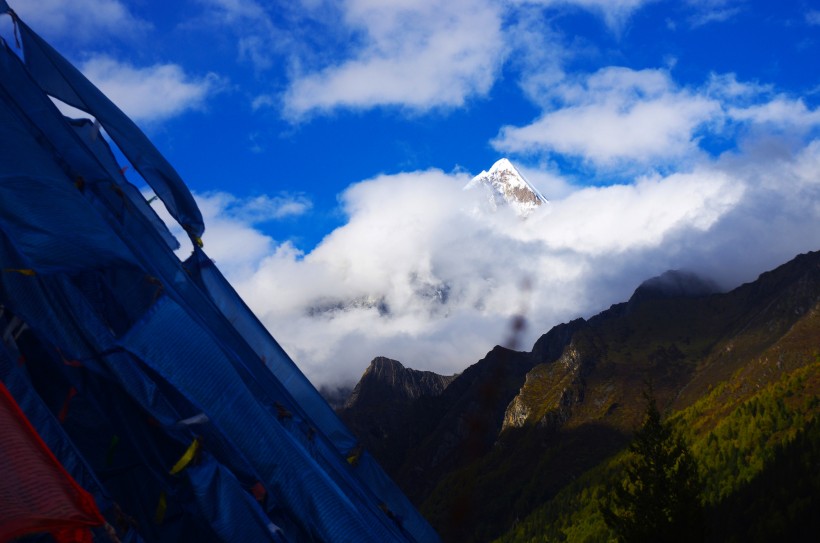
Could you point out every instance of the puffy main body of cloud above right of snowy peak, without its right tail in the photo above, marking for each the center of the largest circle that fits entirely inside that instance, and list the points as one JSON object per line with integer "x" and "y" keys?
{"x": 615, "y": 115}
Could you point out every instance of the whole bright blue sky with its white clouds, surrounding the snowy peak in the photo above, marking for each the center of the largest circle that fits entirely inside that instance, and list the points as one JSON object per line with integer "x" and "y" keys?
{"x": 328, "y": 141}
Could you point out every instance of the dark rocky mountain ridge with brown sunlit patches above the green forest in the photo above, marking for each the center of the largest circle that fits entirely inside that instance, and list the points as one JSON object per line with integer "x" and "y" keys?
{"x": 552, "y": 413}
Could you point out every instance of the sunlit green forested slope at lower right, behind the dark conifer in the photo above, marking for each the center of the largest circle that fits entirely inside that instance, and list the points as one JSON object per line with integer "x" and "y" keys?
{"x": 758, "y": 460}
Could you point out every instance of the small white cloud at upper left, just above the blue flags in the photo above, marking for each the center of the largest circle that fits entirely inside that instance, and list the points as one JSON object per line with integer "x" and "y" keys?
{"x": 136, "y": 89}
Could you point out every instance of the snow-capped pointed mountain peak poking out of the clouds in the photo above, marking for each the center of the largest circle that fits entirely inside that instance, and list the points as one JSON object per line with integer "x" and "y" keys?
{"x": 508, "y": 186}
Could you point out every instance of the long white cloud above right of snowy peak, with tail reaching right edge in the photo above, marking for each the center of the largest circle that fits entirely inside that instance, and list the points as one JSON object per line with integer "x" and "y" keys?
{"x": 619, "y": 119}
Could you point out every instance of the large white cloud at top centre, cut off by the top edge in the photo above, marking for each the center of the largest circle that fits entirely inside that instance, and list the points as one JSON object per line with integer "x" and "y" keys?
{"x": 416, "y": 55}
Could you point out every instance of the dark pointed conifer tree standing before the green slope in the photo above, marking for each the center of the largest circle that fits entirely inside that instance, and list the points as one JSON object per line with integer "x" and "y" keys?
{"x": 659, "y": 498}
